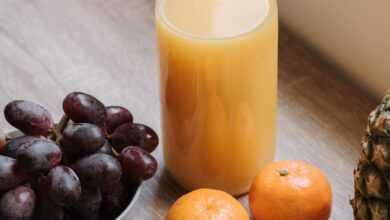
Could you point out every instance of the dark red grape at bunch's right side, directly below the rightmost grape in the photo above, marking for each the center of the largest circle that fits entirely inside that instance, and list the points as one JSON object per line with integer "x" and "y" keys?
{"x": 137, "y": 164}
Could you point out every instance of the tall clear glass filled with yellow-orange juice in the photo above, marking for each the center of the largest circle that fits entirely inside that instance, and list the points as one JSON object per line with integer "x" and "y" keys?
{"x": 218, "y": 80}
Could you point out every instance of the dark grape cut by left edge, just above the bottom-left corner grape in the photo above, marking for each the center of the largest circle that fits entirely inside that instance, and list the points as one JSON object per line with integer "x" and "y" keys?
{"x": 10, "y": 175}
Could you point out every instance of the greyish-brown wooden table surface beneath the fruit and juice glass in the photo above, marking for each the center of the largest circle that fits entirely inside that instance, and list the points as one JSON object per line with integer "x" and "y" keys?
{"x": 107, "y": 48}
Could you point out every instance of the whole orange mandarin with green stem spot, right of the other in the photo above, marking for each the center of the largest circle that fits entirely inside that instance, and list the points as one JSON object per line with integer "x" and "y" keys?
{"x": 290, "y": 190}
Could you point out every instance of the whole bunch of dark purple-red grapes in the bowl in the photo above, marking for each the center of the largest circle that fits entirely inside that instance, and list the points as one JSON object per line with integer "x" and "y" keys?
{"x": 85, "y": 167}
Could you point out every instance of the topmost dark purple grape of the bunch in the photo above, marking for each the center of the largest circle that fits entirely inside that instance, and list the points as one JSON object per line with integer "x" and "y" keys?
{"x": 81, "y": 107}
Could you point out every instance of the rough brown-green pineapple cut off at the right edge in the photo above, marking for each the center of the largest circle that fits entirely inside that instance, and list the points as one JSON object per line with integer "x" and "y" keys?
{"x": 372, "y": 175}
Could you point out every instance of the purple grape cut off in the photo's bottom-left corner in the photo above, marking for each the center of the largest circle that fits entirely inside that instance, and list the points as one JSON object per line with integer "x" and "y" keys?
{"x": 18, "y": 204}
